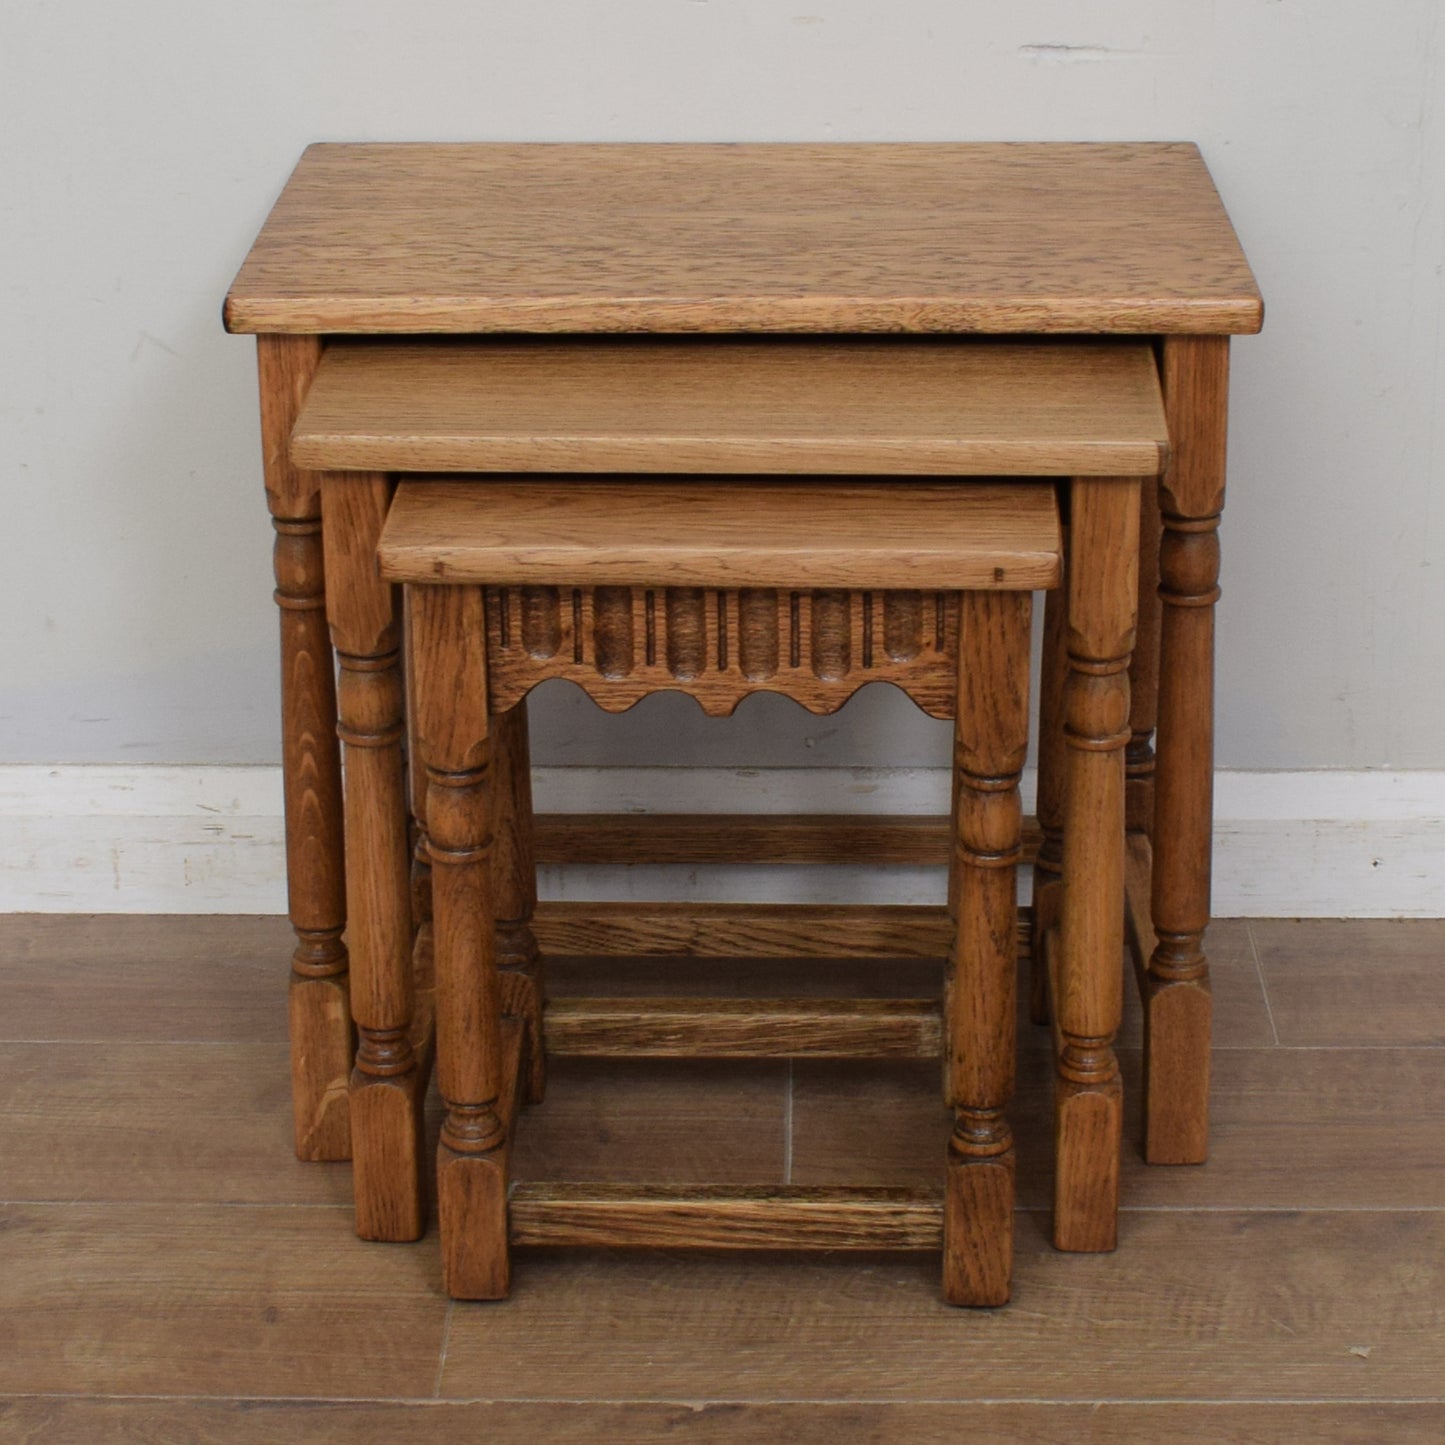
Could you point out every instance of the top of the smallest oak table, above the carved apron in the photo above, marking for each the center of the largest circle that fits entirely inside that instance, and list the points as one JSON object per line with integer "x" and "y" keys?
{"x": 681, "y": 534}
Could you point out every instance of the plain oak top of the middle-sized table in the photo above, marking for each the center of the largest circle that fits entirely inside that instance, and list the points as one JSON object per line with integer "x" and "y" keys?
{"x": 716, "y": 407}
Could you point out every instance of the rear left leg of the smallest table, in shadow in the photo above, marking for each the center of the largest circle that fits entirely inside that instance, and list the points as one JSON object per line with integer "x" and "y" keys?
{"x": 517, "y": 882}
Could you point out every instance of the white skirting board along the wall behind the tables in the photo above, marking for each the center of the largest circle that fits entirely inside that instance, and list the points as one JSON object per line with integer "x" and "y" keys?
{"x": 209, "y": 840}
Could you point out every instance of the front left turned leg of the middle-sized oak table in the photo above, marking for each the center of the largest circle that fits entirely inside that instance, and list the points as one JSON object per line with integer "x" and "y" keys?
{"x": 387, "y": 1093}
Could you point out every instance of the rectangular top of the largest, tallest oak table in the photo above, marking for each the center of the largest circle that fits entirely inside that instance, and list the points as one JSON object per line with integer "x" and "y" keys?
{"x": 1051, "y": 238}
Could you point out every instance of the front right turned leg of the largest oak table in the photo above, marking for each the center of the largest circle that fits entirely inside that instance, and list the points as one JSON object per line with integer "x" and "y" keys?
{"x": 1178, "y": 1004}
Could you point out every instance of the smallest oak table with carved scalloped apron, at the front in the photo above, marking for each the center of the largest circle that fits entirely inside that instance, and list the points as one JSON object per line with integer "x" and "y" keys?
{"x": 466, "y": 642}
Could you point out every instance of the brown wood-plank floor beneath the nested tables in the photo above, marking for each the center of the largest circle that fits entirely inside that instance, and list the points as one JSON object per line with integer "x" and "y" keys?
{"x": 168, "y": 1272}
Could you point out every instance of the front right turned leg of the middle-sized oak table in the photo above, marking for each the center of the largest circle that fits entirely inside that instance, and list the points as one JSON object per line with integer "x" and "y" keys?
{"x": 1089, "y": 983}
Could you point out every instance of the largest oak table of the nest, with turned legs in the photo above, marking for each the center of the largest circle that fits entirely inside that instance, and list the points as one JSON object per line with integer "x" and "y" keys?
{"x": 764, "y": 239}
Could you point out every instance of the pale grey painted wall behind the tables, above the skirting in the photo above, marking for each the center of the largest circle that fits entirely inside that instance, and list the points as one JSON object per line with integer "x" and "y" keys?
{"x": 144, "y": 144}
